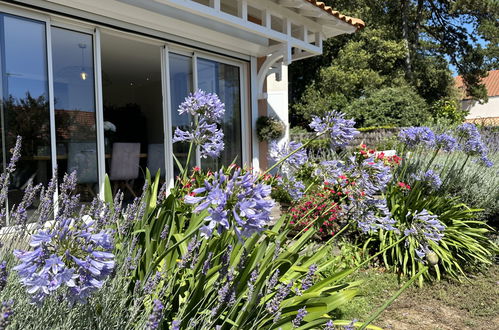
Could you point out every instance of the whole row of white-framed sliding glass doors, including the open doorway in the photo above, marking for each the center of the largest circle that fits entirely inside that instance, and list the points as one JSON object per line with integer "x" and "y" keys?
{"x": 74, "y": 94}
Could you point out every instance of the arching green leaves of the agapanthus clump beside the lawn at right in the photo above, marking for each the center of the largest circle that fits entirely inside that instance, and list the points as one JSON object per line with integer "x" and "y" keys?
{"x": 465, "y": 246}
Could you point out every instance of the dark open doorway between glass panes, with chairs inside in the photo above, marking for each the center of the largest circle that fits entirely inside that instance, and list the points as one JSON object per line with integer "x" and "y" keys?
{"x": 133, "y": 110}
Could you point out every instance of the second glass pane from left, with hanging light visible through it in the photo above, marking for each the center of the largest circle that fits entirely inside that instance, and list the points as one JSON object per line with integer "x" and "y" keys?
{"x": 74, "y": 104}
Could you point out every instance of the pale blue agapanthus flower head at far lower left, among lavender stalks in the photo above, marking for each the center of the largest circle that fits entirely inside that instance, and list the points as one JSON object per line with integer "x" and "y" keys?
{"x": 72, "y": 255}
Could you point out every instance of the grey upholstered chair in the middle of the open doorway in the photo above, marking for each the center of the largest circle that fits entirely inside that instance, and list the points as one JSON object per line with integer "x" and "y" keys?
{"x": 125, "y": 164}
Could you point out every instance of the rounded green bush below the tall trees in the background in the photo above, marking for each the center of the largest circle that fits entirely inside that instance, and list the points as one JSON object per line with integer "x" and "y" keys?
{"x": 391, "y": 106}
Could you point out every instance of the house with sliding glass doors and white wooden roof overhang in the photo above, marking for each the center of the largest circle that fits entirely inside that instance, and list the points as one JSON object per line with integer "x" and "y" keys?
{"x": 80, "y": 75}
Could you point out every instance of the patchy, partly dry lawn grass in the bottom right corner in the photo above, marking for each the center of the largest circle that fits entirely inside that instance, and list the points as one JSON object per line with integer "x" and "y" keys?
{"x": 472, "y": 303}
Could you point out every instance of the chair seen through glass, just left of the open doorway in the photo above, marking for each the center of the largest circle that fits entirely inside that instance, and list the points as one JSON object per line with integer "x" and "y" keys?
{"x": 82, "y": 158}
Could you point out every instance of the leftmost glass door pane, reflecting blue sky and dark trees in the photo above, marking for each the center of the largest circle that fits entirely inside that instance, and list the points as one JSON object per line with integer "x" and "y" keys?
{"x": 24, "y": 106}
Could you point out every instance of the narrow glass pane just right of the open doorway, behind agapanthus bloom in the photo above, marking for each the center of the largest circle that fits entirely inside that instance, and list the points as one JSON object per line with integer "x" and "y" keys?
{"x": 180, "y": 87}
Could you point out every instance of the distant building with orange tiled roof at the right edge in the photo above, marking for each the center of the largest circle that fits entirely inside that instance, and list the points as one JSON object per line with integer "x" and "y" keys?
{"x": 486, "y": 113}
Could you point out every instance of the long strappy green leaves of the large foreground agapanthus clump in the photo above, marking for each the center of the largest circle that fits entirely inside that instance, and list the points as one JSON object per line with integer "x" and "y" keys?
{"x": 191, "y": 295}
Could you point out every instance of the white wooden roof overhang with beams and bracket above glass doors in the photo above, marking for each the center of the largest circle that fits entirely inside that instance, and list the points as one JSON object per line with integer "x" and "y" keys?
{"x": 282, "y": 31}
